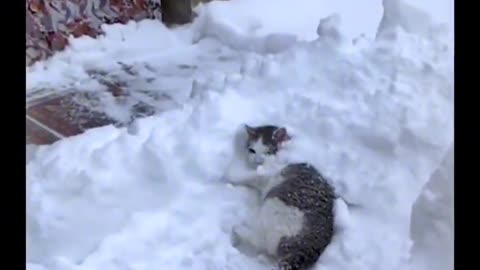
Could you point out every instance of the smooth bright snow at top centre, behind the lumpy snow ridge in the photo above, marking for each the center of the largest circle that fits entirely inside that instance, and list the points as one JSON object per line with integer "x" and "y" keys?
{"x": 300, "y": 17}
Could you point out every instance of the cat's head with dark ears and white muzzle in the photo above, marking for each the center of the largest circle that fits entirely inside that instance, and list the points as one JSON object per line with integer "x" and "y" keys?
{"x": 264, "y": 142}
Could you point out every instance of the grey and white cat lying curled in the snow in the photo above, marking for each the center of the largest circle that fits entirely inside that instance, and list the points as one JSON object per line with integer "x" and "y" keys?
{"x": 295, "y": 218}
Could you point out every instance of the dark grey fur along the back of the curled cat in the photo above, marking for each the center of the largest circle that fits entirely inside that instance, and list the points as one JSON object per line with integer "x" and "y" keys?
{"x": 303, "y": 188}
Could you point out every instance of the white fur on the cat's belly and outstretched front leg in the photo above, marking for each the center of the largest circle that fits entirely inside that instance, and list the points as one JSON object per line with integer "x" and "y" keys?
{"x": 274, "y": 219}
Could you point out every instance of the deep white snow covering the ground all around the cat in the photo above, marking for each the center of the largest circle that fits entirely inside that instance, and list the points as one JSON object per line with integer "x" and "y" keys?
{"x": 375, "y": 116}
